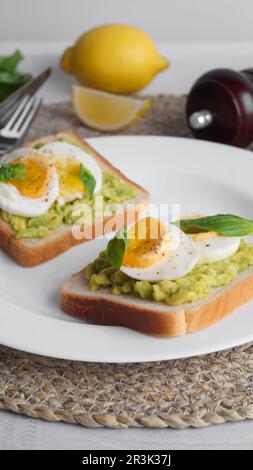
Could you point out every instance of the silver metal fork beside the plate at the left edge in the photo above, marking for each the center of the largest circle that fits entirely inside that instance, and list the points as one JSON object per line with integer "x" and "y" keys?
{"x": 15, "y": 129}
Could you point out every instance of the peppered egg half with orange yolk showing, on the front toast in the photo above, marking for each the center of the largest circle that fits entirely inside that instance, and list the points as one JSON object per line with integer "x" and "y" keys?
{"x": 151, "y": 255}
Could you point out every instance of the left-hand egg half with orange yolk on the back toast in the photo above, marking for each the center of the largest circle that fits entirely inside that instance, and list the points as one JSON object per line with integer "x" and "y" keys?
{"x": 34, "y": 195}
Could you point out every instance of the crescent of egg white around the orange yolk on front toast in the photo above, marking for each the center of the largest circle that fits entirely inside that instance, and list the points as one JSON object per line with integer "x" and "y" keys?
{"x": 179, "y": 262}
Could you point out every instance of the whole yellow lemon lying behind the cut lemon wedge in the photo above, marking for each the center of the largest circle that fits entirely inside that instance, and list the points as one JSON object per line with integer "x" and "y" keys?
{"x": 116, "y": 58}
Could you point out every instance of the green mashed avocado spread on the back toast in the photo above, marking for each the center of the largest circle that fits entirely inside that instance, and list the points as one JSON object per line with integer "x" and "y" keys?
{"x": 114, "y": 191}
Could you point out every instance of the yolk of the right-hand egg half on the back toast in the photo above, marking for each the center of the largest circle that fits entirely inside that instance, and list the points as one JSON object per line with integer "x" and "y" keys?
{"x": 68, "y": 170}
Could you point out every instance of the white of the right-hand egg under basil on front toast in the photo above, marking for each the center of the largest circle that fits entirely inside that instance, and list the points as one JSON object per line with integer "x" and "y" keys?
{"x": 217, "y": 248}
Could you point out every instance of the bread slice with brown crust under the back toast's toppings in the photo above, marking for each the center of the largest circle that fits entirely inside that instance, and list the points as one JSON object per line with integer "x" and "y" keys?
{"x": 33, "y": 251}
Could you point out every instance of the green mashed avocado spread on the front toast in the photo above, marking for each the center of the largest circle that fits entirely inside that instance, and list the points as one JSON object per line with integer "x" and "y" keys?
{"x": 189, "y": 288}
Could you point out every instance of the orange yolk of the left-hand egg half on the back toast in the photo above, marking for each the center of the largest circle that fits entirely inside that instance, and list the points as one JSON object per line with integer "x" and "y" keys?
{"x": 38, "y": 175}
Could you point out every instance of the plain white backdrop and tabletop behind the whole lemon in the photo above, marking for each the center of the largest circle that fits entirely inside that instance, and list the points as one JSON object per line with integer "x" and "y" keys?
{"x": 195, "y": 35}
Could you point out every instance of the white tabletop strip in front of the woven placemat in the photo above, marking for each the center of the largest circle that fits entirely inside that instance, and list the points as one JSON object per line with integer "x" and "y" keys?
{"x": 19, "y": 432}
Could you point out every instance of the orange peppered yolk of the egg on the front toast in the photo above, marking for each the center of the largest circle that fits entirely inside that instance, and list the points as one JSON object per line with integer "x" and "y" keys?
{"x": 148, "y": 243}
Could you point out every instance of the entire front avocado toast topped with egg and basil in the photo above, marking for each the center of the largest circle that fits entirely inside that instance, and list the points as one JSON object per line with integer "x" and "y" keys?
{"x": 156, "y": 290}
